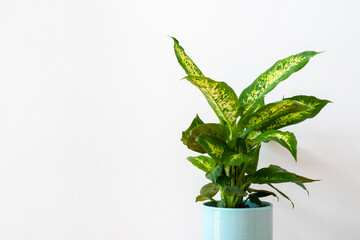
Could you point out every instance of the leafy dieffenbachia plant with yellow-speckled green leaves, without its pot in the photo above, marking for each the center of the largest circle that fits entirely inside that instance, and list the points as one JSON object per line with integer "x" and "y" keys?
{"x": 231, "y": 148}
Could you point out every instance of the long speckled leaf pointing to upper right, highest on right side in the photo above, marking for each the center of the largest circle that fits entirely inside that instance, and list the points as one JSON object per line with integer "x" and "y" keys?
{"x": 280, "y": 71}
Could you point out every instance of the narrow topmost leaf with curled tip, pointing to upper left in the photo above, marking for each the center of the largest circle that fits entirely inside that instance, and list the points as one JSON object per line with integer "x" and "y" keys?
{"x": 184, "y": 60}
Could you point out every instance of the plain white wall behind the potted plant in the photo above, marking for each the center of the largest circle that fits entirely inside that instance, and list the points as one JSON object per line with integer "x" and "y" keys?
{"x": 92, "y": 109}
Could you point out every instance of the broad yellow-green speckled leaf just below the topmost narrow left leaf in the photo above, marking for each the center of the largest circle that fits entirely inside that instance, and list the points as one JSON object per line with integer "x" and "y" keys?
{"x": 220, "y": 97}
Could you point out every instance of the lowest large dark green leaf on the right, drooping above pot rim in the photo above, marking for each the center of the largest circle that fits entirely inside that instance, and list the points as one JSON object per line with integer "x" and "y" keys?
{"x": 275, "y": 174}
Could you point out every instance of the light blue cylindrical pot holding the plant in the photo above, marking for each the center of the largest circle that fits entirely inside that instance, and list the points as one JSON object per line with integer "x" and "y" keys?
{"x": 253, "y": 223}
